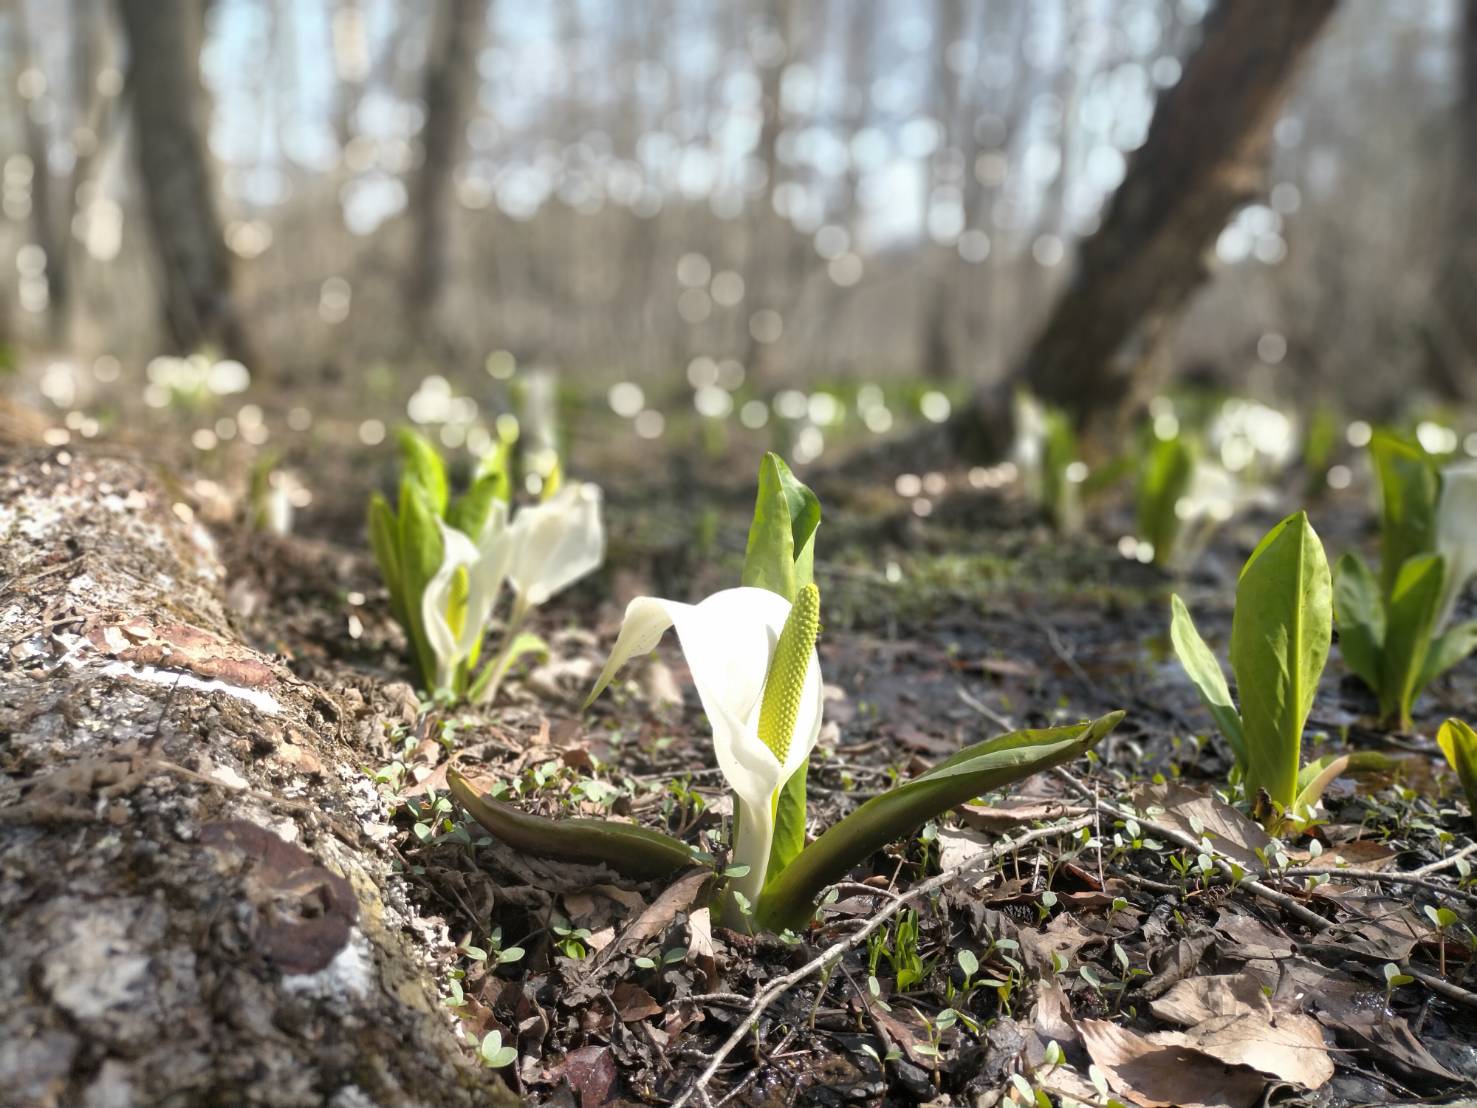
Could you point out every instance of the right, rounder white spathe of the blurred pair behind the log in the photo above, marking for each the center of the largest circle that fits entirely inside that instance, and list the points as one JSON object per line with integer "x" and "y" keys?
{"x": 556, "y": 543}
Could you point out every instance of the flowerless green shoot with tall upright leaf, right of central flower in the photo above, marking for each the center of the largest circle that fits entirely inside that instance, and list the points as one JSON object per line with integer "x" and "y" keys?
{"x": 1280, "y": 640}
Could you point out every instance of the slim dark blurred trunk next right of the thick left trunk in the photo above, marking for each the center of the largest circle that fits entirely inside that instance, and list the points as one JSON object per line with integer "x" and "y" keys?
{"x": 450, "y": 92}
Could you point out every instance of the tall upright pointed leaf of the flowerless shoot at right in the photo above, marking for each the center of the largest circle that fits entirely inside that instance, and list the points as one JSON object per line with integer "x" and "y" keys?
{"x": 1280, "y": 639}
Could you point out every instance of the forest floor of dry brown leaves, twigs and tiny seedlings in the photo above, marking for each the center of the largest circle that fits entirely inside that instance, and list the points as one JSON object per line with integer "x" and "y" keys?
{"x": 1072, "y": 939}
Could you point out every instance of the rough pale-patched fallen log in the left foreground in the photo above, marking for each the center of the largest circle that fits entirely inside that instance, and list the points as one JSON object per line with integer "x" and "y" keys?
{"x": 194, "y": 903}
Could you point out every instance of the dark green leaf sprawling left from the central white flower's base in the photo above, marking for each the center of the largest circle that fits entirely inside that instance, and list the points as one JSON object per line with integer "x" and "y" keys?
{"x": 624, "y": 847}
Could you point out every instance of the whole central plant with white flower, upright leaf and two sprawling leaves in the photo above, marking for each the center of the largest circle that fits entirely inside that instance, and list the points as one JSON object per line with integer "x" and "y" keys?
{"x": 753, "y": 657}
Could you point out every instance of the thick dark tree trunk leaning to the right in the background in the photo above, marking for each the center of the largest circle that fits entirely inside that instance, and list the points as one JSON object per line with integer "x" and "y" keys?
{"x": 1204, "y": 157}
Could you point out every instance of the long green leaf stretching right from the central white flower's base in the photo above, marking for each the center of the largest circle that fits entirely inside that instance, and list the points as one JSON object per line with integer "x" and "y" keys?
{"x": 789, "y": 902}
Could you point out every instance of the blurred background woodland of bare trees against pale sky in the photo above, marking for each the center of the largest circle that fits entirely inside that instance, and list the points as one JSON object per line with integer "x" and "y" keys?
{"x": 1069, "y": 193}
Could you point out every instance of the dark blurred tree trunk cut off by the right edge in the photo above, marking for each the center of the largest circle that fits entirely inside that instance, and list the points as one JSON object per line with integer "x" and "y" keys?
{"x": 1453, "y": 329}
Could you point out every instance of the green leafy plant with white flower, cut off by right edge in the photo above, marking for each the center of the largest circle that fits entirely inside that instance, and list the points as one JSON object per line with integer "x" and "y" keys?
{"x": 1394, "y": 630}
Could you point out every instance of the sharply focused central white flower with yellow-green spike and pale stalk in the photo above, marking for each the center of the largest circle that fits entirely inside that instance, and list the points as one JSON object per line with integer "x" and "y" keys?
{"x": 733, "y": 646}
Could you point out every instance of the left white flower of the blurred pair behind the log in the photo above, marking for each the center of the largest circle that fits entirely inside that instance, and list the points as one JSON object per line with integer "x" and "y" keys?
{"x": 454, "y": 636}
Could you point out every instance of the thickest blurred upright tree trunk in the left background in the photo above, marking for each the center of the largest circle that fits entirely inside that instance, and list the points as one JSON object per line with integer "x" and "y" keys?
{"x": 196, "y": 268}
